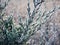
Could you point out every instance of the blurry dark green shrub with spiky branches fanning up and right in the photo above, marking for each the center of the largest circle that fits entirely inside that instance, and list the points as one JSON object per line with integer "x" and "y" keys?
{"x": 12, "y": 35}
